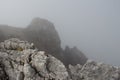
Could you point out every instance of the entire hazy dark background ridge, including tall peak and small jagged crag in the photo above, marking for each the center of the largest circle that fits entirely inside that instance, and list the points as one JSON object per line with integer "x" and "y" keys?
{"x": 43, "y": 34}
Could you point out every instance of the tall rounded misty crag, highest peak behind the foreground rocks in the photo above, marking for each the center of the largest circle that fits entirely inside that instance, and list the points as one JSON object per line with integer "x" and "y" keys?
{"x": 44, "y": 35}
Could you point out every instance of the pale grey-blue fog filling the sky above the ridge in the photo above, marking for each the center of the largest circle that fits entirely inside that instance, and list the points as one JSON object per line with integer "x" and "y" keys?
{"x": 91, "y": 25}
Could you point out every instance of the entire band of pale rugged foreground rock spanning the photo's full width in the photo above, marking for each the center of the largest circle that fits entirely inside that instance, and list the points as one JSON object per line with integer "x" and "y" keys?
{"x": 21, "y": 60}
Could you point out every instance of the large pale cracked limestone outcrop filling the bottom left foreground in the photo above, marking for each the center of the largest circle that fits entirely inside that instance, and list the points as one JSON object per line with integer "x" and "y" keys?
{"x": 23, "y": 62}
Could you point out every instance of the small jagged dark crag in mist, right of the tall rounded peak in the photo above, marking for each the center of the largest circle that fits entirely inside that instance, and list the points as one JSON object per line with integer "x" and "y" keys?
{"x": 74, "y": 54}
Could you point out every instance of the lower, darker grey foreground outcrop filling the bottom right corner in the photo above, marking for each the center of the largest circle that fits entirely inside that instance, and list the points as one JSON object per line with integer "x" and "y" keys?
{"x": 94, "y": 71}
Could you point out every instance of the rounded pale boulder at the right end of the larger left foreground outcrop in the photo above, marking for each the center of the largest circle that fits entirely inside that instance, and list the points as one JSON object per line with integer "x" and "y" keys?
{"x": 56, "y": 68}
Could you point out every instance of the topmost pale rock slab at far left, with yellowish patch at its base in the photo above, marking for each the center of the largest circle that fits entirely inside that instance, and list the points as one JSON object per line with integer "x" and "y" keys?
{"x": 15, "y": 44}
